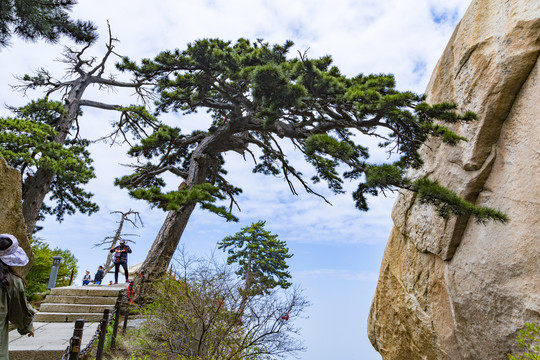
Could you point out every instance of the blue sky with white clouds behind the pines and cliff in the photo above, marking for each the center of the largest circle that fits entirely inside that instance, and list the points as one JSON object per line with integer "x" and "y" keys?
{"x": 337, "y": 249}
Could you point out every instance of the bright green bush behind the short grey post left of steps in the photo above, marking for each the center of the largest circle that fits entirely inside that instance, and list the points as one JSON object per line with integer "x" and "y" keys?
{"x": 38, "y": 277}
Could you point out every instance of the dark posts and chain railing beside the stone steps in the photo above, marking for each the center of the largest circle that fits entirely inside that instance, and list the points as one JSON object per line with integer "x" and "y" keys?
{"x": 74, "y": 352}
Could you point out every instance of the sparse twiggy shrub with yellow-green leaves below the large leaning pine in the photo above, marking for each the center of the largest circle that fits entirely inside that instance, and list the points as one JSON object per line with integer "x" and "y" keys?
{"x": 194, "y": 314}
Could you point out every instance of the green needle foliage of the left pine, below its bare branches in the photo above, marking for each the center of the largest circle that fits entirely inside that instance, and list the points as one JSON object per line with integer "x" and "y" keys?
{"x": 26, "y": 142}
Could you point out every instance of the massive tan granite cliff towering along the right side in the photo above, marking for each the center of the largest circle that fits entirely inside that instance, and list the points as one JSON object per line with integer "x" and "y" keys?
{"x": 457, "y": 289}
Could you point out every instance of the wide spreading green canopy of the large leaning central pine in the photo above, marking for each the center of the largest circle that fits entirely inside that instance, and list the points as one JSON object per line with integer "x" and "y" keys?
{"x": 256, "y": 94}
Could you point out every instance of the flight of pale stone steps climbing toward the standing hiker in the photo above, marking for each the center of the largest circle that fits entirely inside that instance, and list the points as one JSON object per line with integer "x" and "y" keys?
{"x": 70, "y": 303}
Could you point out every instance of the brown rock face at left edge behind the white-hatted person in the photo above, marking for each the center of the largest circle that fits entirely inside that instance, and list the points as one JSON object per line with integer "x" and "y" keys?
{"x": 11, "y": 218}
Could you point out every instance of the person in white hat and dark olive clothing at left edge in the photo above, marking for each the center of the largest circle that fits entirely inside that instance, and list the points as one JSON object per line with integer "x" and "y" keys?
{"x": 13, "y": 305}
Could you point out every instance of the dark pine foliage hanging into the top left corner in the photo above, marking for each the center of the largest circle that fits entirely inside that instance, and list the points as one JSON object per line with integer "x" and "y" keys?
{"x": 46, "y": 19}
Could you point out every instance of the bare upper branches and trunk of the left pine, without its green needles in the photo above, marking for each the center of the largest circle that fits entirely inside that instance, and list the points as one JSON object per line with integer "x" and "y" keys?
{"x": 83, "y": 72}
